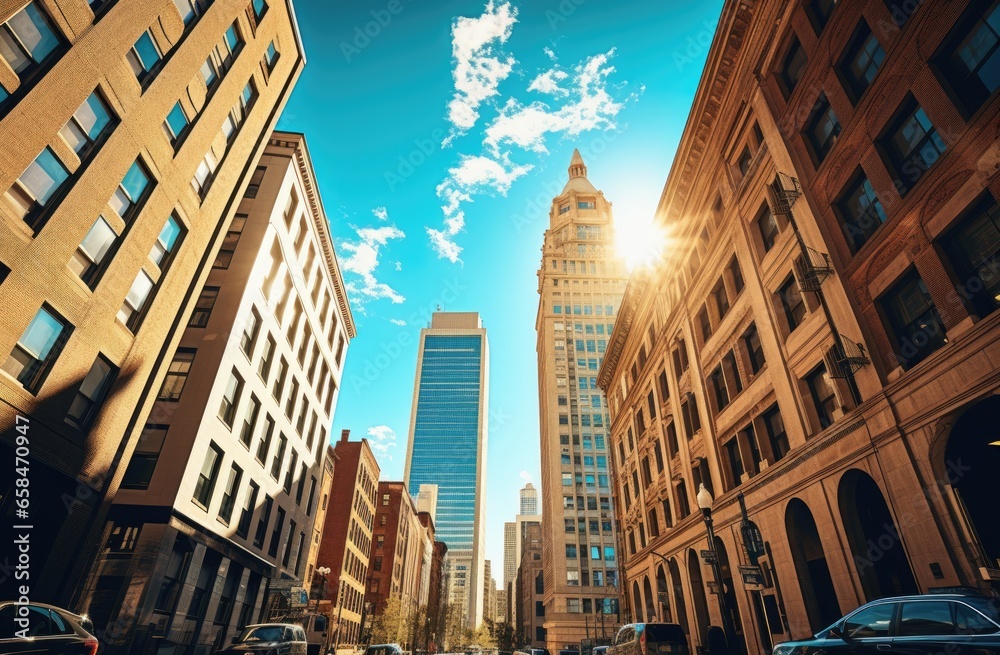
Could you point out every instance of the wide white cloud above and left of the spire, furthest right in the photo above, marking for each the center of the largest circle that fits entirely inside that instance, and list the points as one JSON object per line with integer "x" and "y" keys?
{"x": 590, "y": 106}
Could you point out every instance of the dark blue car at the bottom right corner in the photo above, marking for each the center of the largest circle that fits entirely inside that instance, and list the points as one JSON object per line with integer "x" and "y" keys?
{"x": 957, "y": 623}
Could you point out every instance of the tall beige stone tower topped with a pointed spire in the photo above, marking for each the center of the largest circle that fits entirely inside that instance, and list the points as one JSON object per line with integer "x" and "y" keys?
{"x": 580, "y": 283}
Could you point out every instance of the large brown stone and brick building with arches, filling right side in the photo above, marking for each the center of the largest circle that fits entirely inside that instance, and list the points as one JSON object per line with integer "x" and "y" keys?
{"x": 819, "y": 339}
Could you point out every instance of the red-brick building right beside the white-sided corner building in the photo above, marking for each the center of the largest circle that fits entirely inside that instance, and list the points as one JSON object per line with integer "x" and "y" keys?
{"x": 347, "y": 542}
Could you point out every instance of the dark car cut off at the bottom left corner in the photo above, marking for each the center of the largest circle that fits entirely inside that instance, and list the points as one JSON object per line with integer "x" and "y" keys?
{"x": 39, "y": 629}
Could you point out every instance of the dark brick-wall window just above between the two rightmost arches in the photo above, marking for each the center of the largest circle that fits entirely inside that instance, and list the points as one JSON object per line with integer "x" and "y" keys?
{"x": 913, "y": 320}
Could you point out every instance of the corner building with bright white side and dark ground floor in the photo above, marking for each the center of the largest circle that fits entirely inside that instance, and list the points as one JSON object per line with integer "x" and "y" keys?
{"x": 194, "y": 542}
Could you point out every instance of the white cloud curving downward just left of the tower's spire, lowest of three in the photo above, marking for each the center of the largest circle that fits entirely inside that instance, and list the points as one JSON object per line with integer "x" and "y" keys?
{"x": 475, "y": 174}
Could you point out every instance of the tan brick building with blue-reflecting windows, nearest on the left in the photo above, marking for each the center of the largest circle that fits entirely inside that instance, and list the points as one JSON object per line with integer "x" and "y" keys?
{"x": 130, "y": 131}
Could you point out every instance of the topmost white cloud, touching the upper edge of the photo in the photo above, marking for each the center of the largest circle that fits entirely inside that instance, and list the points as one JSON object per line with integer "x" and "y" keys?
{"x": 478, "y": 68}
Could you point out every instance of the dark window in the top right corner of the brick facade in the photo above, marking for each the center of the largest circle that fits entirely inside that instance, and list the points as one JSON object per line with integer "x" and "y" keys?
{"x": 970, "y": 58}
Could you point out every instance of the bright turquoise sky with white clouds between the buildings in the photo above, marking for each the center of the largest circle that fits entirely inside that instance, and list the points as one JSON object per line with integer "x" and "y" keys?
{"x": 439, "y": 132}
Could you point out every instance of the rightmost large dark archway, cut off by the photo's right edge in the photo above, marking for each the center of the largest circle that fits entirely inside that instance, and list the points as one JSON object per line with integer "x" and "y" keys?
{"x": 971, "y": 462}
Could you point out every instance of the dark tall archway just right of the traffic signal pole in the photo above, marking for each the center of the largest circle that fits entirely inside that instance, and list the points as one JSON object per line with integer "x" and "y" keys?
{"x": 811, "y": 568}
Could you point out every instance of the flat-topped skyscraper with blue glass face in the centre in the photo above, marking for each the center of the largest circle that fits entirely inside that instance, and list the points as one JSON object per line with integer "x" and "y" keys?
{"x": 447, "y": 446}
